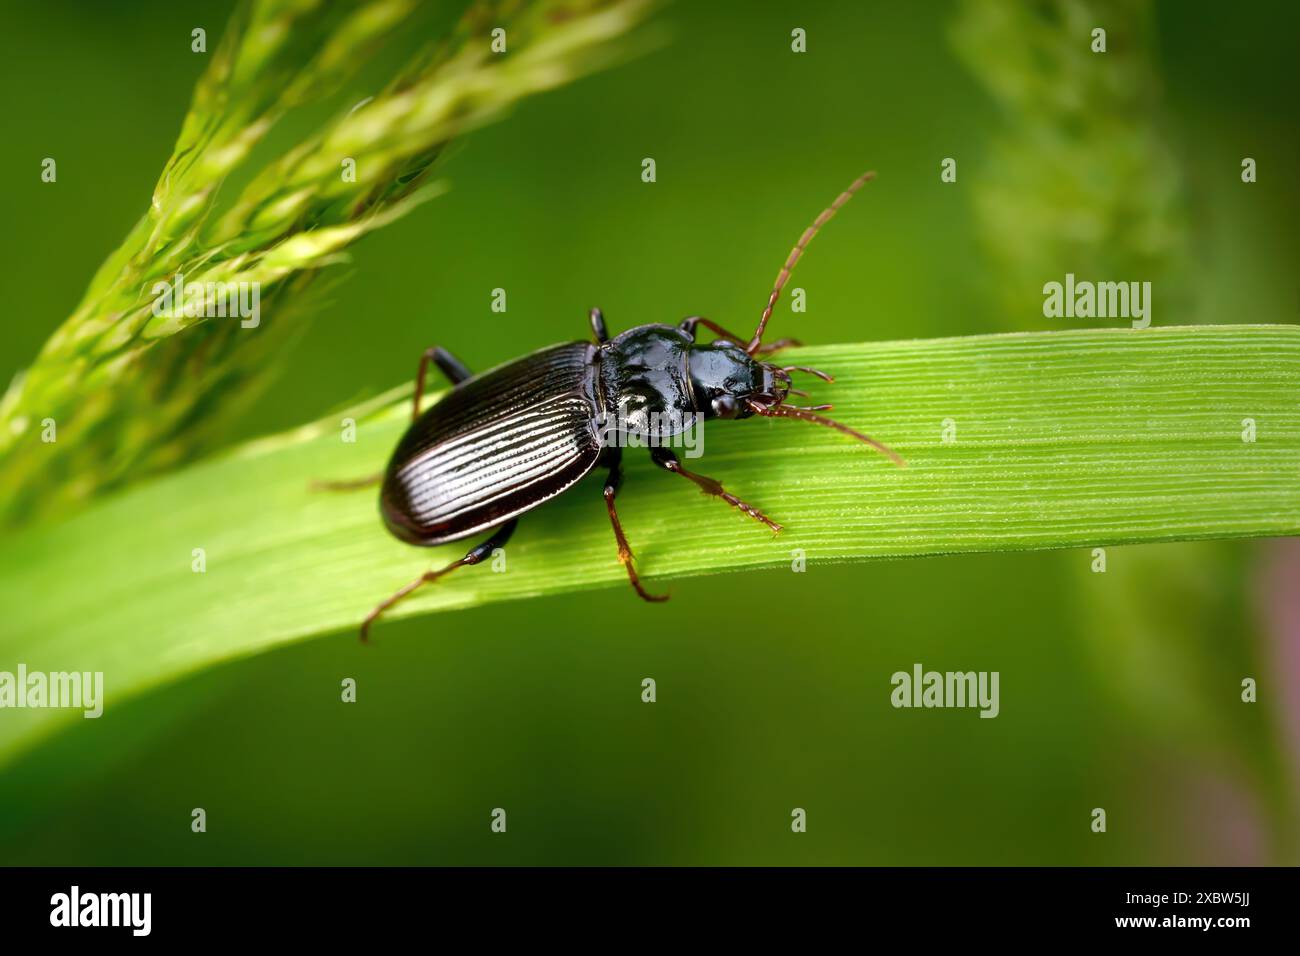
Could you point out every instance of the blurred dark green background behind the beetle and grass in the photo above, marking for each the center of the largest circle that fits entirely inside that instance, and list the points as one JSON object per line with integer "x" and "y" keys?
{"x": 1119, "y": 690}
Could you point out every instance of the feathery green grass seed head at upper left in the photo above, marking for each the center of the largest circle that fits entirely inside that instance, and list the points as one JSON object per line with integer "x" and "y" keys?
{"x": 133, "y": 392}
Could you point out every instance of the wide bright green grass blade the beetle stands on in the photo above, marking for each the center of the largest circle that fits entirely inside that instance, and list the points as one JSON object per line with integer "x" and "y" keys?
{"x": 1020, "y": 442}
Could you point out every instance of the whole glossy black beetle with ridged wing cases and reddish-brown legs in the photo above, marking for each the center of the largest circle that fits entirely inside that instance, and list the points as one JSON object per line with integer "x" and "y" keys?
{"x": 502, "y": 443}
